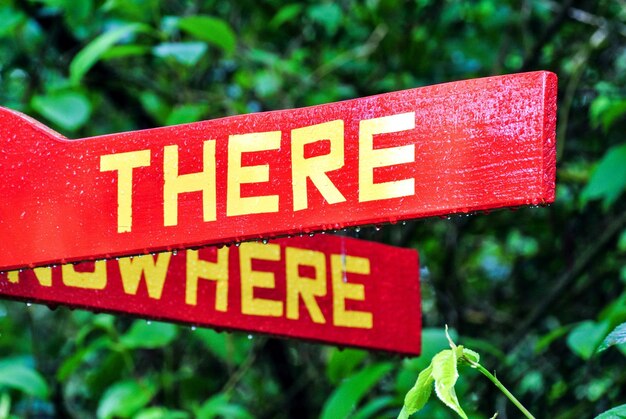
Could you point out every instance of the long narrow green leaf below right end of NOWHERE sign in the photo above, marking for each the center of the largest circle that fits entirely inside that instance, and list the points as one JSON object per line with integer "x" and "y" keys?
{"x": 346, "y": 397}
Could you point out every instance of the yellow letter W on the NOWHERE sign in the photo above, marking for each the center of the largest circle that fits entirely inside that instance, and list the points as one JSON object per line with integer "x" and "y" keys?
{"x": 132, "y": 269}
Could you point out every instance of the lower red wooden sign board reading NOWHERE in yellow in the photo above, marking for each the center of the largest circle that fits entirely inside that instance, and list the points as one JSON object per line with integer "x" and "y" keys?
{"x": 325, "y": 288}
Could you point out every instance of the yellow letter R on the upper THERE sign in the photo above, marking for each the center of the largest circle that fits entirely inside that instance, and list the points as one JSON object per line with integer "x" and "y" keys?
{"x": 315, "y": 168}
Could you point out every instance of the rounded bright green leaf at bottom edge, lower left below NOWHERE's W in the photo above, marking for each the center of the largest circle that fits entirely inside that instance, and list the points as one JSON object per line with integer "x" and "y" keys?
{"x": 125, "y": 398}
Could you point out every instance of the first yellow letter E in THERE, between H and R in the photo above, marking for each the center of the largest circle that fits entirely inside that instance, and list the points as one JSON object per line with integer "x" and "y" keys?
{"x": 238, "y": 174}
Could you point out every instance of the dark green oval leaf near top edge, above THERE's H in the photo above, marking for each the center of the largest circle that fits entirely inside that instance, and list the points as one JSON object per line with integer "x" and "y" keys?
{"x": 210, "y": 29}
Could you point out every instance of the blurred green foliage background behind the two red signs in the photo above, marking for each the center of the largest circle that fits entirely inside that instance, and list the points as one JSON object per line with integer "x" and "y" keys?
{"x": 534, "y": 290}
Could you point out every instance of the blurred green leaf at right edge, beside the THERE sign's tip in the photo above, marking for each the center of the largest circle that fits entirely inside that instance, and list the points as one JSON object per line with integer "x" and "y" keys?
{"x": 609, "y": 178}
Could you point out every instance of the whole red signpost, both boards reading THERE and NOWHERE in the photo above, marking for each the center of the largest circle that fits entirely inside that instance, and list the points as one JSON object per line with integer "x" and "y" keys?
{"x": 110, "y": 202}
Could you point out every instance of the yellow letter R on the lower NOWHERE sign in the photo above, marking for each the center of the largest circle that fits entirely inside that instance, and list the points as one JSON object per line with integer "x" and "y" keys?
{"x": 308, "y": 288}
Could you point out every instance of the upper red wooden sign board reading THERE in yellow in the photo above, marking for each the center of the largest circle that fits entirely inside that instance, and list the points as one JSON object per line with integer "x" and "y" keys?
{"x": 450, "y": 148}
